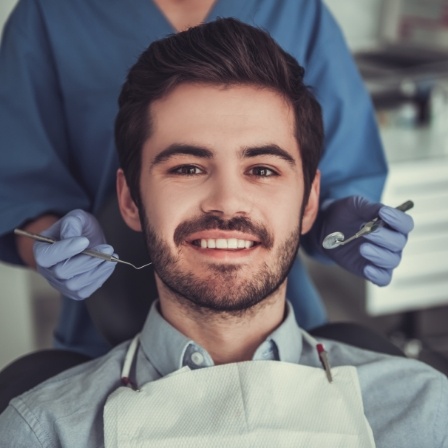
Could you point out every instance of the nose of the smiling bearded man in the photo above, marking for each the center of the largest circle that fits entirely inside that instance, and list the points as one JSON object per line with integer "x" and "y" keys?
{"x": 226, "y": 197}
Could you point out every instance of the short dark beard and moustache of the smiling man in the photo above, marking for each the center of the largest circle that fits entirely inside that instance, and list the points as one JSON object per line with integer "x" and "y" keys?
{"x": 221, "y": 287}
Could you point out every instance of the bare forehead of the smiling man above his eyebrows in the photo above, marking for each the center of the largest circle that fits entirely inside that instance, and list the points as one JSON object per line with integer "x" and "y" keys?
{"x": 222, "y": 116}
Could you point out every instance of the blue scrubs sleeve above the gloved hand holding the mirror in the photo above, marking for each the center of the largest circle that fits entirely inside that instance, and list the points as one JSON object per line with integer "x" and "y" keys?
{"x": 353, "y": 161}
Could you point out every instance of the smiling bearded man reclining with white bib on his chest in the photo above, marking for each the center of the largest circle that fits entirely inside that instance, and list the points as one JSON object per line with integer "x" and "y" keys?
{"x": 219, "y": 142}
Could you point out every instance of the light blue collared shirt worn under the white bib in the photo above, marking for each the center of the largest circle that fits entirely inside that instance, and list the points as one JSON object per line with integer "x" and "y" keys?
{"x": 405, "y": 401}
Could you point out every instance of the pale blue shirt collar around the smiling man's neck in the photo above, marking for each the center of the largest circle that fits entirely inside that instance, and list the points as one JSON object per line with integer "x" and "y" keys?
{"x": 168, "y": 349}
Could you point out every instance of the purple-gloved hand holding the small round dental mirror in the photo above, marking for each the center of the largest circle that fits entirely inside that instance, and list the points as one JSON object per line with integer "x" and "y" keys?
{"x": 375, "y": 255}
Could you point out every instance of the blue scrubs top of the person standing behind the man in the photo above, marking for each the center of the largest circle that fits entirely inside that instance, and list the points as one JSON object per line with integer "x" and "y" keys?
{"x": 62, "y": 64}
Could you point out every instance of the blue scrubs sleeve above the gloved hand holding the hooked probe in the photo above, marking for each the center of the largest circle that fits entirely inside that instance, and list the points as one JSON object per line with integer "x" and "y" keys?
{"x": 36, "y": 173}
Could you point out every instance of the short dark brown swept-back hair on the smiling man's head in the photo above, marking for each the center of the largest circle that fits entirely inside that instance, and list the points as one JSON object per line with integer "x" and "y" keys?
{"x": 223, "y": 52}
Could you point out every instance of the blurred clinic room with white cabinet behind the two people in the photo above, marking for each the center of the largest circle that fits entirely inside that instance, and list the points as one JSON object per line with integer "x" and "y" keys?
{"x": 401, "y": 49}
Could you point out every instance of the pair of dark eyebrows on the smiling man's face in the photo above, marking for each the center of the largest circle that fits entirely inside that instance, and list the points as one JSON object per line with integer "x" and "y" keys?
{"x": 204, "y": 153}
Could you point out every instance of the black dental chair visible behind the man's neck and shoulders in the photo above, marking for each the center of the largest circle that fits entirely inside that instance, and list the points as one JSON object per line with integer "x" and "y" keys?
{"x": 119, "y": 309}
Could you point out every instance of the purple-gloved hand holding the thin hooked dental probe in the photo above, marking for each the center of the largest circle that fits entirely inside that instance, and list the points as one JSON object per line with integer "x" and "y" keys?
{"x": 74, "y": 274}
